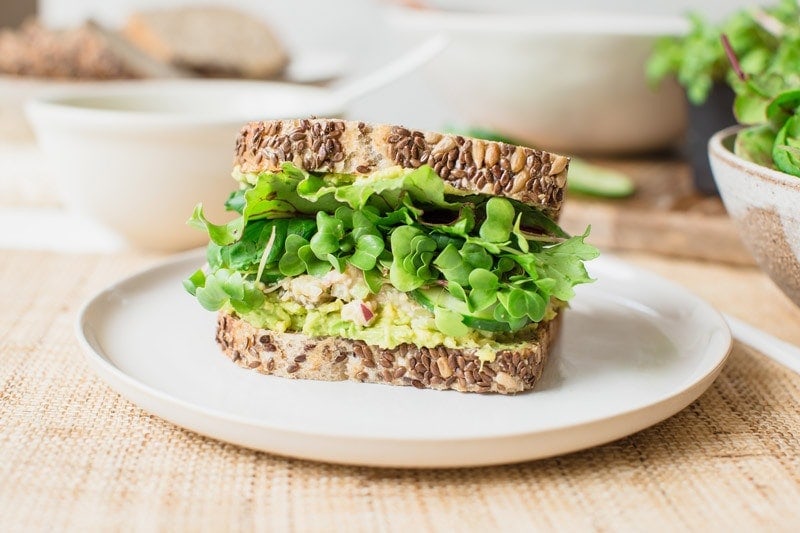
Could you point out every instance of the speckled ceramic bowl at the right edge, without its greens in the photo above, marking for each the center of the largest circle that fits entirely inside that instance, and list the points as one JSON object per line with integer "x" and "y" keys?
{"x": 765, "y": 204}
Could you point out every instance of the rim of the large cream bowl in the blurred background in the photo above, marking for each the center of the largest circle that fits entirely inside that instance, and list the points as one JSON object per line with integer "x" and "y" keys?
{"x": 567, "y": 22}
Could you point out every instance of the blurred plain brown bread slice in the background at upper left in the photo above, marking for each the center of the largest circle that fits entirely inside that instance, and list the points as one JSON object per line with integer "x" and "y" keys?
{"x": 209, "y": 41}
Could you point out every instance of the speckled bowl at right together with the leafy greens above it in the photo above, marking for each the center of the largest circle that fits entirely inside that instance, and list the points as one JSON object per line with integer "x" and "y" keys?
{"x": 756, "y": 164}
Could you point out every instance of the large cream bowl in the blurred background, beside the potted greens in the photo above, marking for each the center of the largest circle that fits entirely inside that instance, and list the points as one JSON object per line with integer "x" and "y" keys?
{"x": 569, "y": 82}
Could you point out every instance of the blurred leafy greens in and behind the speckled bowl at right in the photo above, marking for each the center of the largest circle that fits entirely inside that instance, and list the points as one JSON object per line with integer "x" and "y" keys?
{"x": 757, "y": 52}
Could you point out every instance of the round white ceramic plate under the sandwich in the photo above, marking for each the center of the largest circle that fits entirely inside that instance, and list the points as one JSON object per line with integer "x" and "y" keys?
{"x": 634, "y": 350}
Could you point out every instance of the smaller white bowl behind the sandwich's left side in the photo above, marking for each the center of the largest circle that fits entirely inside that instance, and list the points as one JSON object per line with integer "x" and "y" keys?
{"x": 137, "y": 156}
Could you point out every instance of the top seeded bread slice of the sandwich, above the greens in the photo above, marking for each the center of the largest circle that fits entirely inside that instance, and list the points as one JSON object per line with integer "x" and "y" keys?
{"x": 531, "y": 176}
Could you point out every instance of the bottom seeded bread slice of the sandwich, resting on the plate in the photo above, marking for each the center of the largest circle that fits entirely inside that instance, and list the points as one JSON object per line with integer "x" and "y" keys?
{"x": 295, "y": 355}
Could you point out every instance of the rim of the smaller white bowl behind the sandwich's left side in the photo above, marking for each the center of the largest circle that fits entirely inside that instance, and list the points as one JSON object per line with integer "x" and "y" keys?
{"x": 53, "y": 104}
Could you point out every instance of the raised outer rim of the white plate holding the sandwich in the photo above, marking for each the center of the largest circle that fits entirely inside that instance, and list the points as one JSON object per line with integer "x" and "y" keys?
{"x": 118, "y": 380}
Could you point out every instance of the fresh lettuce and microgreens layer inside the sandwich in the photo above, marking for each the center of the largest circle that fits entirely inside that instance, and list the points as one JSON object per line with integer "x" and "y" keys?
{"x": 495, "y": 262}
